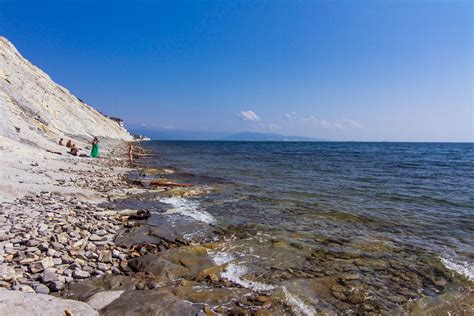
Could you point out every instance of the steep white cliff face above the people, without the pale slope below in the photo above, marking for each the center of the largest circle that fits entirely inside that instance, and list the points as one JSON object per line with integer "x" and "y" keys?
{"x": 34, "y": 110}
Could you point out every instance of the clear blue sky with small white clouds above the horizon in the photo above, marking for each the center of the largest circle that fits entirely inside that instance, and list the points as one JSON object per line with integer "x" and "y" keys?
{"x": 341, "y": 70}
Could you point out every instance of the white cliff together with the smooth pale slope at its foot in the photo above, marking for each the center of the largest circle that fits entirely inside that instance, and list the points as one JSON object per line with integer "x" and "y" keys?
{"x": 35, "y": 113}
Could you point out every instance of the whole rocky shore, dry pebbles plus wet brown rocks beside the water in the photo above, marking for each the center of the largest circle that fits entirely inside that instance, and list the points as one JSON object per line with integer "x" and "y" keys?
{"x": 111, "y": 258}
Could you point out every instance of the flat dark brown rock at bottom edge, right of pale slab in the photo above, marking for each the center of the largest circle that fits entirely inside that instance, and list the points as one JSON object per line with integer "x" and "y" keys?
{"x": 150, "y": 302}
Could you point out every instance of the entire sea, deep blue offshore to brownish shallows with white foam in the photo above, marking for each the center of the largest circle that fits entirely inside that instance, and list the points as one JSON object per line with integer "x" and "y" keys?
{"x": 390, "y": 209}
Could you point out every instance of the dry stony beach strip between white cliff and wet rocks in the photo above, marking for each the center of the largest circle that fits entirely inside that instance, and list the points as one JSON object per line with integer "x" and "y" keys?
{"x": 53, "y": 237}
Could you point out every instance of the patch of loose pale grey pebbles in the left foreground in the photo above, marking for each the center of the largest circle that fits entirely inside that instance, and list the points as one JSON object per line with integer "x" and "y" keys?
{"x": 45, "y": 242}
